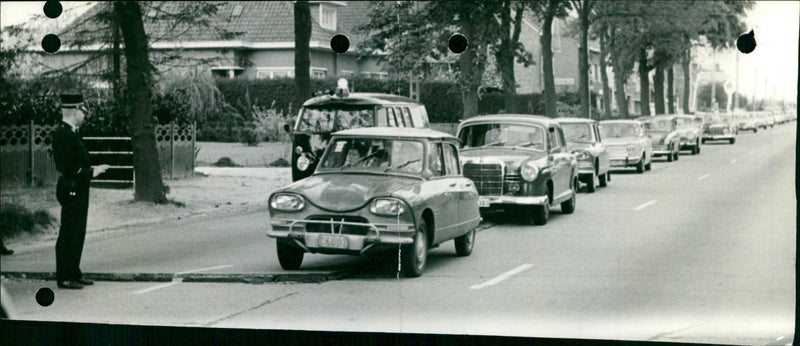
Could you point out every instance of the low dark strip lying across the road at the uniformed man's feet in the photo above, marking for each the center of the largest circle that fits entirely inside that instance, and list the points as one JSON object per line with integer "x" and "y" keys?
{"x": 317, "y": 277}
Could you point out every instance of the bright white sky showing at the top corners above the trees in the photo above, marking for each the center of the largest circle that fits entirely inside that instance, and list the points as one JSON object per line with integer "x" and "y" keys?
{"x": 774, "y": 62}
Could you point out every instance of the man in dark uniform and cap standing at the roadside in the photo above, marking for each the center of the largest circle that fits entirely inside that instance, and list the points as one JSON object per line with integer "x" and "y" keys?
{"x": 72, "y": 191}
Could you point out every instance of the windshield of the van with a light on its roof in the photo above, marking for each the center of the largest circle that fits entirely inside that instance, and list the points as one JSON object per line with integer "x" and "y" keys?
{"x": 328, "y": 119}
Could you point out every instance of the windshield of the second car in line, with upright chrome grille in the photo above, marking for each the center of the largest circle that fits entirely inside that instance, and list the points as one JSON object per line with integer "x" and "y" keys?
{"x": 506, "y": 135}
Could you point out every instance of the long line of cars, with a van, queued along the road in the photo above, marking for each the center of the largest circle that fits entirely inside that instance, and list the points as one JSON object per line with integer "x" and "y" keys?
{"x": 372, "y": 177}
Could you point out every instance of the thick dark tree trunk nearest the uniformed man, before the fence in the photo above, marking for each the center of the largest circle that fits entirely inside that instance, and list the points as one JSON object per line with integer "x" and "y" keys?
{"x": 147, "y": 171}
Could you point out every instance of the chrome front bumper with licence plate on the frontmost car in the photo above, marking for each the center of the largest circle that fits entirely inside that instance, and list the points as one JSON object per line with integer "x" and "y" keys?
{"x": 379, "y": 234}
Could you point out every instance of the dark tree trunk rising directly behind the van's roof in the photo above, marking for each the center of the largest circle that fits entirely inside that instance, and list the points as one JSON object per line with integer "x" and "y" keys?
{"x": 302, "y": 58}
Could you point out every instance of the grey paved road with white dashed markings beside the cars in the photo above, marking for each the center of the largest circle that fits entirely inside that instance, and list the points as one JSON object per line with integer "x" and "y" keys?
{"x": 698, "y": 250}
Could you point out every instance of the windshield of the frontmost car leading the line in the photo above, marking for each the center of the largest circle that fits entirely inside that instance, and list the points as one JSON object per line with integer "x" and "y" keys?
{"x": 374, "y": 154}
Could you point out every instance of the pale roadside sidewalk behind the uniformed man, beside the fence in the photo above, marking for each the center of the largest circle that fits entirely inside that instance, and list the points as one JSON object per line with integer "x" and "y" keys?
{"x": 214, "y": 190}
